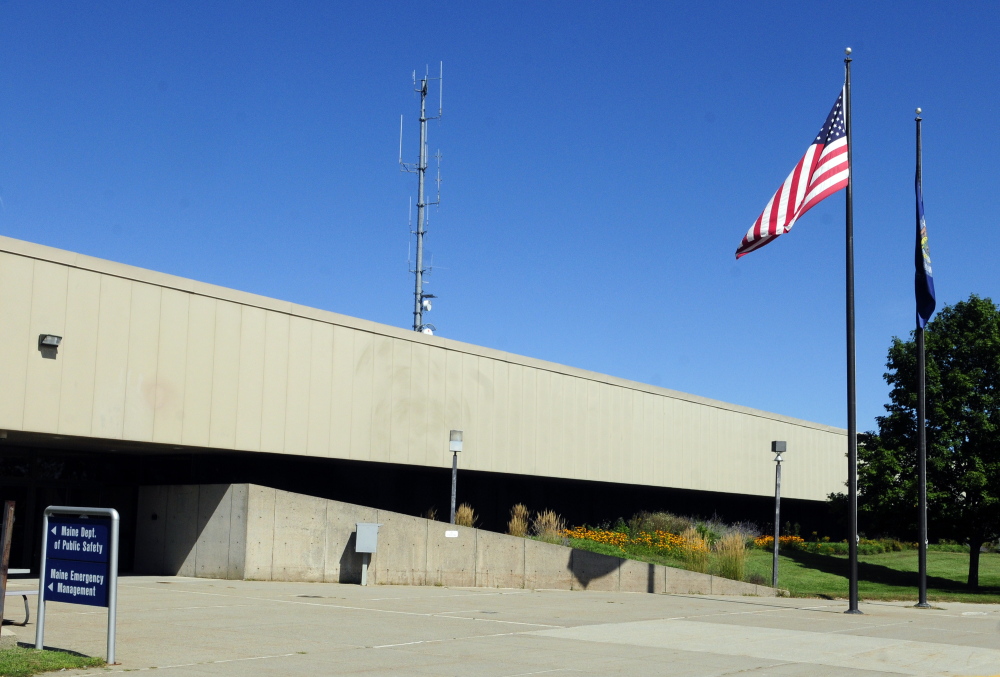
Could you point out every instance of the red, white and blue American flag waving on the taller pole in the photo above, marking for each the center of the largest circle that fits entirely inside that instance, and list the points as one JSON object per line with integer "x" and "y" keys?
{"x": 821, "y": 172}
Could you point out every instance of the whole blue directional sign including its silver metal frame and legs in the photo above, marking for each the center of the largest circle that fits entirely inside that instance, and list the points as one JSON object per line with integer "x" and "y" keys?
{"x": 79, "y": 563}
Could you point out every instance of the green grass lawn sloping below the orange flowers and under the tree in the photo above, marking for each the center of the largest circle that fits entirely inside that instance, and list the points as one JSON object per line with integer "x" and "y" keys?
{"x": 888, "y": 576}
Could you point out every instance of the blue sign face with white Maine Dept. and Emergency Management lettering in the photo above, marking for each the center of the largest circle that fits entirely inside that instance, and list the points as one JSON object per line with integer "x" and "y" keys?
{"x": 76, "y": 565}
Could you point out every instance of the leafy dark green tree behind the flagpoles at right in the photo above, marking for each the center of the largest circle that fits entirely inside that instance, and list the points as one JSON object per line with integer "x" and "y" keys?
{"x": 963, "y": 433}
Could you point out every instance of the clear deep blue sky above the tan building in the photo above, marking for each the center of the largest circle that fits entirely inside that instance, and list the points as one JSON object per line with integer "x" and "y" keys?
{"x": 601, "y": 163}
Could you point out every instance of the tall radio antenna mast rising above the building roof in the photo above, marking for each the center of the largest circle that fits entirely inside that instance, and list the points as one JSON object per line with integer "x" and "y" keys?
{"x": 421, "y": 299}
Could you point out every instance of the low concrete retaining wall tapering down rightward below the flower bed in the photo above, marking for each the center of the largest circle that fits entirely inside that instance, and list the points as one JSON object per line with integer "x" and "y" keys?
{"x": 245, "y": 531}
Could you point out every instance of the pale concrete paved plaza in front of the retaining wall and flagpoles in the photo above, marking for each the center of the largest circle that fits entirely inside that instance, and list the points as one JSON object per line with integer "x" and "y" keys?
{"x": 187, "y": 626}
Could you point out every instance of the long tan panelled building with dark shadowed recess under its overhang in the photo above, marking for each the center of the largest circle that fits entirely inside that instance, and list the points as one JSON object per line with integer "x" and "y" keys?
{"x": 159, "y": 379}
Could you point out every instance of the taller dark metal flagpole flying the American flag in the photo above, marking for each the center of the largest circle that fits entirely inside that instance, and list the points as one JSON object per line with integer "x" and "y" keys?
{"x": 852, "y": 424}
